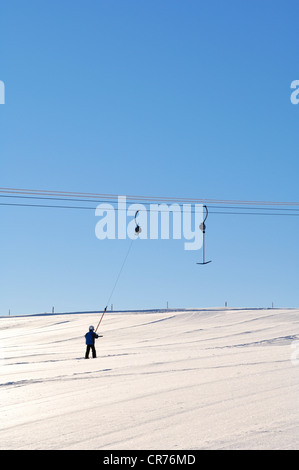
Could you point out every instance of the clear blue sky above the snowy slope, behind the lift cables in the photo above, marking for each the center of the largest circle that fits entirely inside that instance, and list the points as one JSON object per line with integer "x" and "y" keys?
{"x": 159, "y": 98}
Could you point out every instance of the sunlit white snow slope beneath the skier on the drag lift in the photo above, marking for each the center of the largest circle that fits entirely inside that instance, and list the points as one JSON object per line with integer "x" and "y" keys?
{"x": 185, "y": 379}
